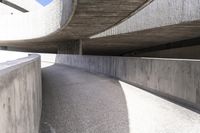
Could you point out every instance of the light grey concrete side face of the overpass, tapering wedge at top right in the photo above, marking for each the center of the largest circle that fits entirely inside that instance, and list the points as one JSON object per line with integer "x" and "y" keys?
{"x": 159, "y": 13}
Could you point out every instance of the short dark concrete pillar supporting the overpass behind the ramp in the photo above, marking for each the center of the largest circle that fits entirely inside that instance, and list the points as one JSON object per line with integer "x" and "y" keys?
{"x": 71, "y": 47}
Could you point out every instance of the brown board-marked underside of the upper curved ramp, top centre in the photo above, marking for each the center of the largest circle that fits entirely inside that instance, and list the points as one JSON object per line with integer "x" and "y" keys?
{"x": 95, "y": 16}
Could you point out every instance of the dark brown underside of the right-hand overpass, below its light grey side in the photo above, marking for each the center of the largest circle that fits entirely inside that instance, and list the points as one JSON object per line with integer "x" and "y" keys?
{"x": 125, "y": 43}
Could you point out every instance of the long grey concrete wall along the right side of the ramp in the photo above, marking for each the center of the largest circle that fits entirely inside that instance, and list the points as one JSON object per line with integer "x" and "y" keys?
{"x": 174, "y": 79}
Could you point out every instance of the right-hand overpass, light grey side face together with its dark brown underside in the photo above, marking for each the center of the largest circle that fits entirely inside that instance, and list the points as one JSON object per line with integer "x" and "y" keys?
{"x": 160, "y": 22}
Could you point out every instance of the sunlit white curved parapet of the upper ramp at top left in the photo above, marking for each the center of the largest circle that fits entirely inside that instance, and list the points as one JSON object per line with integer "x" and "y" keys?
{"x": 35, "y": 24}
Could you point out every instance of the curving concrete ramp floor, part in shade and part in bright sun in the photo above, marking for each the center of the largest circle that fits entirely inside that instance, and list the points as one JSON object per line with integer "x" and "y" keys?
{"x": 75, "y": 101}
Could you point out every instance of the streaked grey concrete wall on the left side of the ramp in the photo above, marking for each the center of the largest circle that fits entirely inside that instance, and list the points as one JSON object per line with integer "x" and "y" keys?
{"x": 20, "y": 95}
